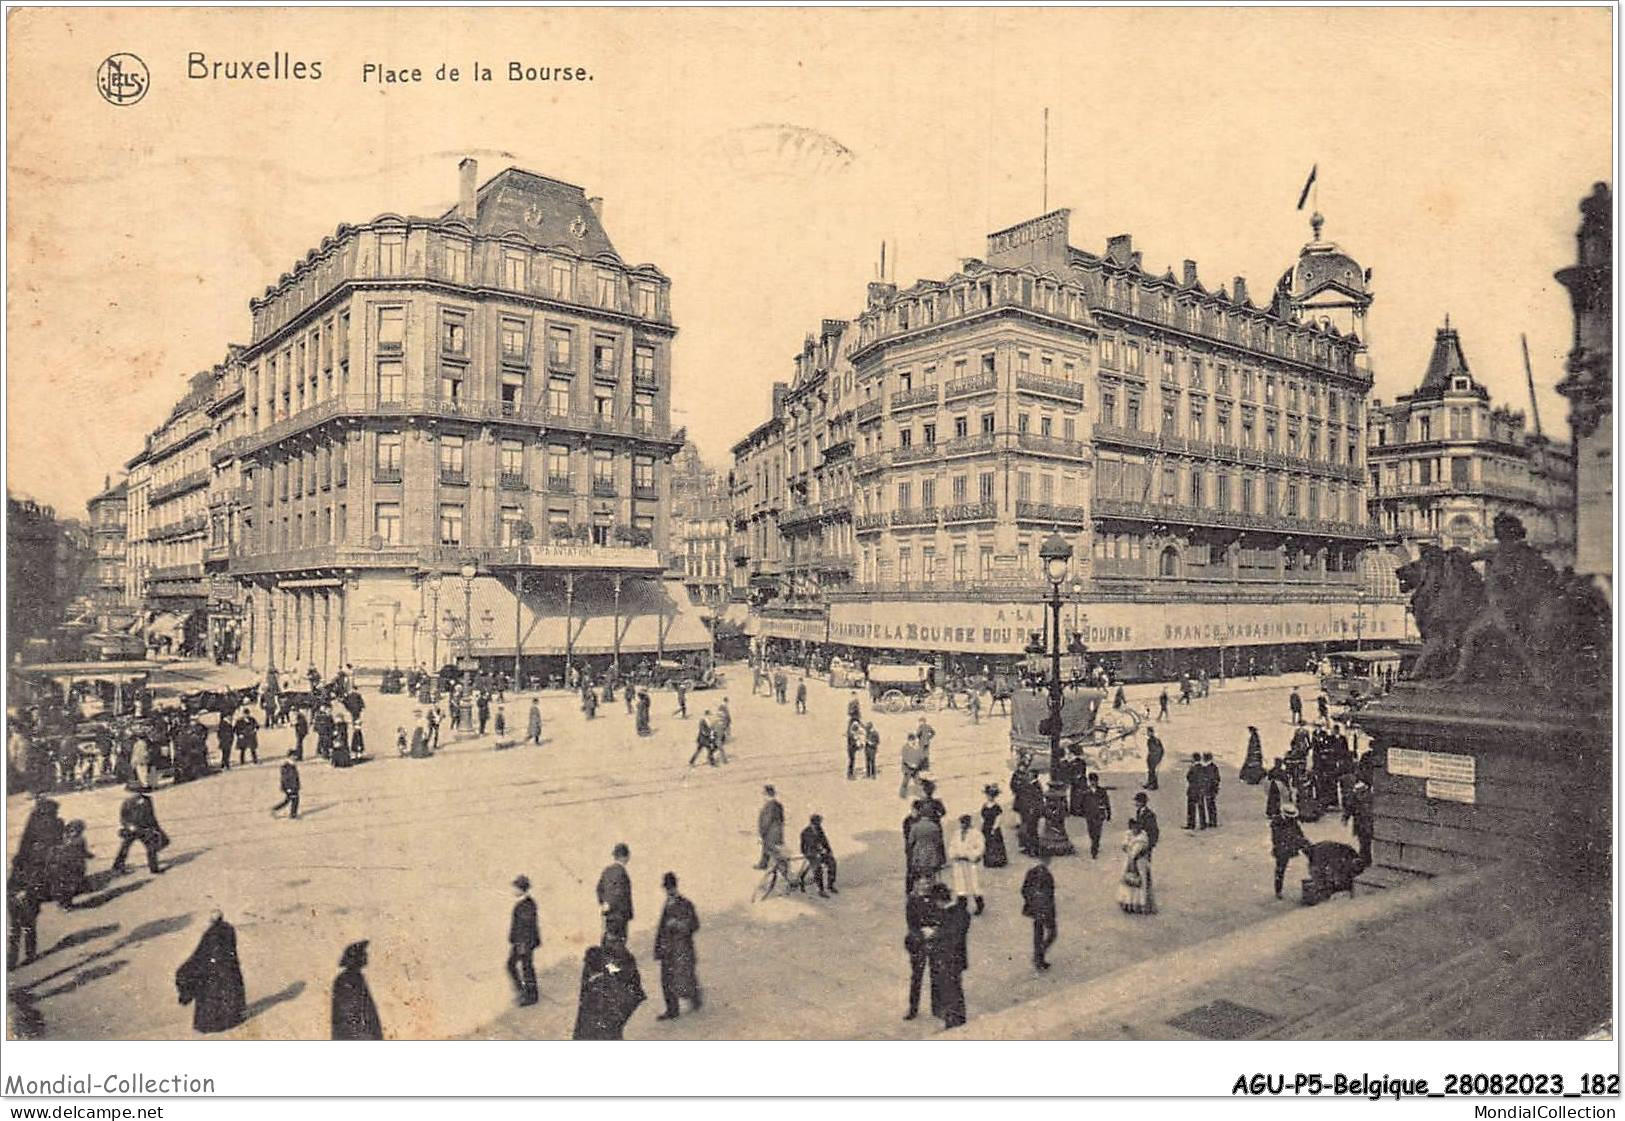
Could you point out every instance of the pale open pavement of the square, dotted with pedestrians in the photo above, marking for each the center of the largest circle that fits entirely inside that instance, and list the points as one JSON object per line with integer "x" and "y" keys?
{"x": 417, "y": 855}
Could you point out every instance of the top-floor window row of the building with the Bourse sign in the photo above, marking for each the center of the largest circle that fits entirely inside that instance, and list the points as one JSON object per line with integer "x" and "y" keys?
{"x": 1190, "y": 314}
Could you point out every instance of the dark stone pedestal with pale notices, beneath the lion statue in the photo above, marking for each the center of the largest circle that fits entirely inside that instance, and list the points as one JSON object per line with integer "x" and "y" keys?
{"x": 1473, "y": 776}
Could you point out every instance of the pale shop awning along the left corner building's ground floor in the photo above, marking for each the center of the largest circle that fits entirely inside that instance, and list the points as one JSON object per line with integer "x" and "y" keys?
{"x": 656, "y": 617}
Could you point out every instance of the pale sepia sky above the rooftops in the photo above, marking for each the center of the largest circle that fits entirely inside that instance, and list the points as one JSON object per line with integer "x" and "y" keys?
{"x": 761, "y": 157}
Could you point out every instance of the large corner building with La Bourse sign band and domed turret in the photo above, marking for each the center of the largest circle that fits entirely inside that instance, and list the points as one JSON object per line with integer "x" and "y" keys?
{"x": 1203, "y": 456}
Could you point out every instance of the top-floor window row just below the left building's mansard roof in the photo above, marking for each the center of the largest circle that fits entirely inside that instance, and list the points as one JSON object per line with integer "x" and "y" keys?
{"x": 454, "y": 261}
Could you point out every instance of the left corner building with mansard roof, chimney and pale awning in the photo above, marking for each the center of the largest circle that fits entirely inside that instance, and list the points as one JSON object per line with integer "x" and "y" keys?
{"x": 488, "y": 391}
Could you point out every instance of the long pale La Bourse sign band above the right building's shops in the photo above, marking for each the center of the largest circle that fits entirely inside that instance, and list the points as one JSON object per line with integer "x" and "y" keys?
{"x": 1002, "y": 628}
